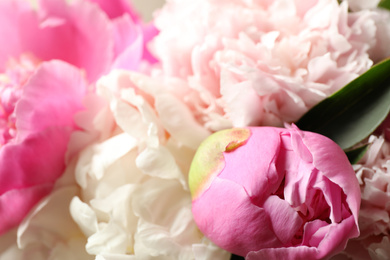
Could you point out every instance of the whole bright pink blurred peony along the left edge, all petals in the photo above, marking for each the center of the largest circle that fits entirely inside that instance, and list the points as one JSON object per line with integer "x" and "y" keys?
{"x": 50, "y": 54}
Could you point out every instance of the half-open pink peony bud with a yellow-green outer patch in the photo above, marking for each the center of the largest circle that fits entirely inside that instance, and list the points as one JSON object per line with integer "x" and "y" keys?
{"x": 273, "y": 193}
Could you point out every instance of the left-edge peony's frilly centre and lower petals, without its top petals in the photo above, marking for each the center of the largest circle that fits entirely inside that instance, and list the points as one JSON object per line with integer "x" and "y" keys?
{"x": 35, "y": 134}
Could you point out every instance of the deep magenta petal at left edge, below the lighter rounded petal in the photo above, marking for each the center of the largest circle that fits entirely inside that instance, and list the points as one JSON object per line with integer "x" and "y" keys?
{"x": 38, "y": 159}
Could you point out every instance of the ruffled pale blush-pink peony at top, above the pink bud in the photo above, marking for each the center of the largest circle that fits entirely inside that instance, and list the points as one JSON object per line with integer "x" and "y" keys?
{"x": 265, "y": 62}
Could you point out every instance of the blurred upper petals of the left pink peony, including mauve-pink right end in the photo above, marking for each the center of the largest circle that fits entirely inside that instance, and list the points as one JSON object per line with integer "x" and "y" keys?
{"x": 78, "y": 32}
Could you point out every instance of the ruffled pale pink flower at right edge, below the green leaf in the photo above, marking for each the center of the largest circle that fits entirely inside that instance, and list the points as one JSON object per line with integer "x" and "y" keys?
{"x": 373, "y": 173}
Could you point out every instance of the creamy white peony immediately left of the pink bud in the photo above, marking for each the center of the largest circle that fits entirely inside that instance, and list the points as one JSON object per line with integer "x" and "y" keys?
{"x": 135, "y": 202}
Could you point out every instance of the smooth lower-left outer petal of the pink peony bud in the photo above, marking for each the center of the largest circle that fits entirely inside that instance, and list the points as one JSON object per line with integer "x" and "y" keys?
{"x": 219, "y": 211}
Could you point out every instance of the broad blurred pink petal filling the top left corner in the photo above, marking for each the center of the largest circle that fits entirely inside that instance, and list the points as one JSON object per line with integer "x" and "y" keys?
{"x": 78, "y": 33}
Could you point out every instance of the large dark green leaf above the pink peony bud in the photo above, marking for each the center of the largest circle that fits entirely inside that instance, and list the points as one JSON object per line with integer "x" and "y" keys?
{"x": 354, "y": 112}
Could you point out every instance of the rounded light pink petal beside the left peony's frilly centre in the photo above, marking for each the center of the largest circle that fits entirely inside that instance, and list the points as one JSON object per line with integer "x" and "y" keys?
{"x": 58, "y": 88}
